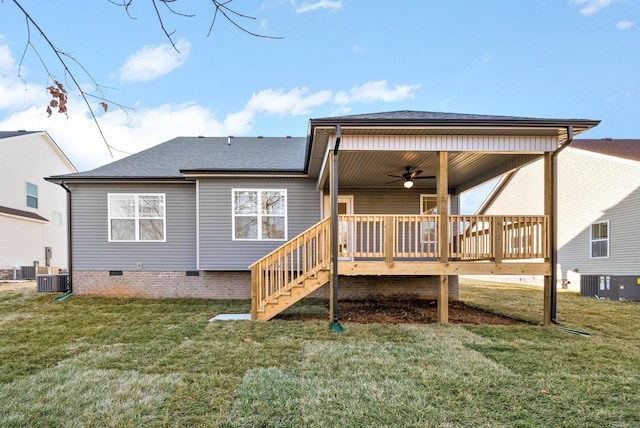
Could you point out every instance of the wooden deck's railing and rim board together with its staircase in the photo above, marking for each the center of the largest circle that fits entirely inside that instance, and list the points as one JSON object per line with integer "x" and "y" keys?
{"x": 399, "y": 245}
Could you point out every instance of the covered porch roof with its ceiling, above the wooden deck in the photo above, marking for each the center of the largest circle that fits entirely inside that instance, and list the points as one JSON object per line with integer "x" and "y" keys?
{"x": 376, "y": 146}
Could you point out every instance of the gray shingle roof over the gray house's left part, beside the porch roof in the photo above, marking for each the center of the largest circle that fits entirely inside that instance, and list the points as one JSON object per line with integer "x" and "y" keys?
{"x": 211, "y": 154}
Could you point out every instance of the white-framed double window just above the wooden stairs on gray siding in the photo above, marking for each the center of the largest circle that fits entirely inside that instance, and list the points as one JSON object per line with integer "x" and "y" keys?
{"x": 259, "y": 214}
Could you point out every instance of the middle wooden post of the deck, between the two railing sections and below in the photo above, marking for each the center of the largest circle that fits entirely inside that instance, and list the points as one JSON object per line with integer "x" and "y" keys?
{"x": 442, "y": 184}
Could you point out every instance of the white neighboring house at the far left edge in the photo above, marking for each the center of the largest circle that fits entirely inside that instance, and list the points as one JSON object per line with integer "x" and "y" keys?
{"x": 33, "y": 212}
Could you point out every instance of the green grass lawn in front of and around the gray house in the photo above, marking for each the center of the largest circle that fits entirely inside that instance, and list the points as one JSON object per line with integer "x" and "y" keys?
{"x": 160, "y": 363}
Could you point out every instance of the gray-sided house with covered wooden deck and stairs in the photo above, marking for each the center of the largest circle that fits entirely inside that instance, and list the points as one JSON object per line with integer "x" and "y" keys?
{"x": 367, "y": 204}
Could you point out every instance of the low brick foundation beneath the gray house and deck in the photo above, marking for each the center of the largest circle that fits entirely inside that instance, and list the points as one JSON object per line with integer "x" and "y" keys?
{"x": 237, "y": 285}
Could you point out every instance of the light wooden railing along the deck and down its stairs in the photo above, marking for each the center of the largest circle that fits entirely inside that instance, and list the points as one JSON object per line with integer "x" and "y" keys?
{"x": 393, "y": 239}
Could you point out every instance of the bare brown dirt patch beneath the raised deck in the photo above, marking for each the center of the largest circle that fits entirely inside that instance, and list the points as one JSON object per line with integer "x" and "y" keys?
{"x": 409, "y": 312}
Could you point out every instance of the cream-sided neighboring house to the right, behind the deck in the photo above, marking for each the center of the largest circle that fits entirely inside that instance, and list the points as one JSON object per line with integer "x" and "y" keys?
{"x": 598, "y": 203}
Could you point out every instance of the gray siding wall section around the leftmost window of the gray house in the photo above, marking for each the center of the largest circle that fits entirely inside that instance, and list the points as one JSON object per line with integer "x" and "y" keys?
{"x": 92, "y": 249}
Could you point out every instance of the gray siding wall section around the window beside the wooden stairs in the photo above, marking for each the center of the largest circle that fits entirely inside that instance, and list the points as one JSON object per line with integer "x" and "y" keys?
{"x": 218, "y": 250}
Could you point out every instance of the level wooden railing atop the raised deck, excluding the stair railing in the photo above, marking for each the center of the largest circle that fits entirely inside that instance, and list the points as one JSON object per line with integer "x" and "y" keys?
{"x": 469, "y": 238}
